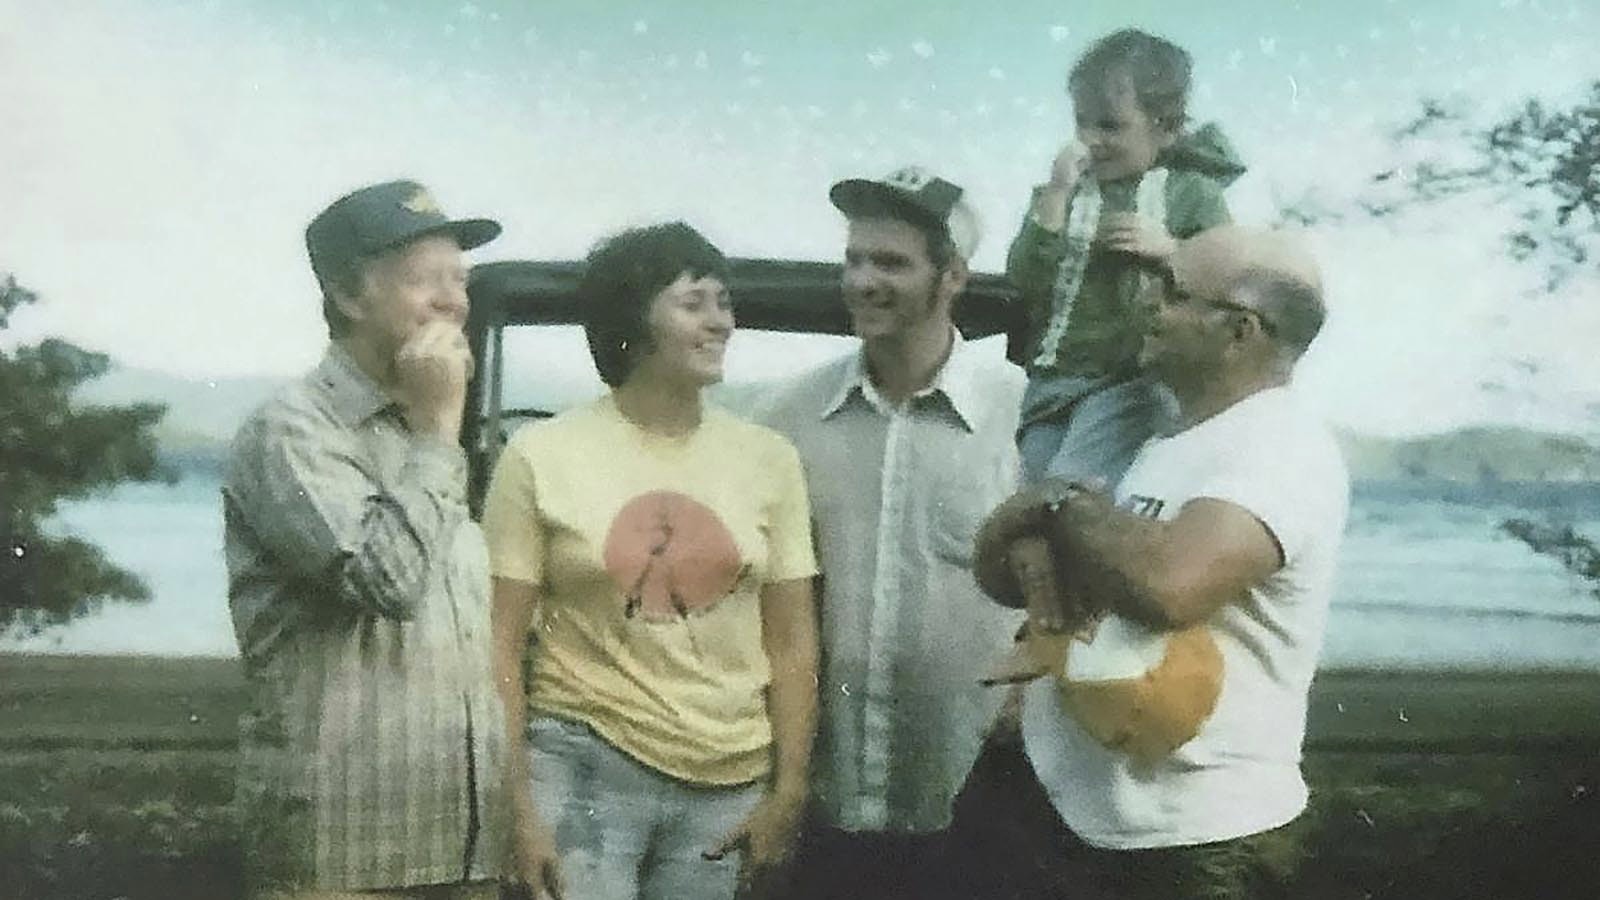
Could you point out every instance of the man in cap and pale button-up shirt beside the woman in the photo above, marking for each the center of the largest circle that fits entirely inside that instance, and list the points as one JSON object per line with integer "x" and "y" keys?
{"x": 908, "y": 443}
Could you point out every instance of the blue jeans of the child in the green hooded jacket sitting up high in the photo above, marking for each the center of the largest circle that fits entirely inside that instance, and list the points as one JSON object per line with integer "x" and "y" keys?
{"x": 1089, "y": 428}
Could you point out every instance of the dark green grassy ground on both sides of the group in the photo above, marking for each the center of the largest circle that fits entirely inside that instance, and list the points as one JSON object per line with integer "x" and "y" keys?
{"x": 116, "y": 777}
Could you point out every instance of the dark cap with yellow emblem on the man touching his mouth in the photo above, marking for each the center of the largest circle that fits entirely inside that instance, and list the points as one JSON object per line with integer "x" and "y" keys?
{"x": 382, "y": 217}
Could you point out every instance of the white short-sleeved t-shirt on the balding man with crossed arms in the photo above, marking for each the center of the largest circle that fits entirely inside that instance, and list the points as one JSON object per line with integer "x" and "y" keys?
{"x": 1241, "y": 774}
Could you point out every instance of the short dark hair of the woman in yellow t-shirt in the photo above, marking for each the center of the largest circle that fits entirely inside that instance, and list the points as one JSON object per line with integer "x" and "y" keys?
{"x": 623, "y": 275}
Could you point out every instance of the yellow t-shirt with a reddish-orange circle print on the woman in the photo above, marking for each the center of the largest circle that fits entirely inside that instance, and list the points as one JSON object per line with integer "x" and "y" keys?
{"x": 650, "y": 555}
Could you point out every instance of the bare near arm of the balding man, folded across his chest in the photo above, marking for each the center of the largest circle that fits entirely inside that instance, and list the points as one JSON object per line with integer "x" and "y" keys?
{"x": 1167, "y": 574}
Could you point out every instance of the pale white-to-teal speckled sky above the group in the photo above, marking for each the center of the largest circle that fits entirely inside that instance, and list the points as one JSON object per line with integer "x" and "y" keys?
{"x": 159, "y": 159}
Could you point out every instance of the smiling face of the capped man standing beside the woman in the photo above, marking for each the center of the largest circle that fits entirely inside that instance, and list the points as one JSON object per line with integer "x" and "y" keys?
{"x": 892, "y": 287}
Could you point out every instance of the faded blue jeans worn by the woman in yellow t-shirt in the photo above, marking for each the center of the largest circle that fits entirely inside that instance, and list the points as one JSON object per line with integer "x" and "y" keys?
{"x": 625, "y": 830}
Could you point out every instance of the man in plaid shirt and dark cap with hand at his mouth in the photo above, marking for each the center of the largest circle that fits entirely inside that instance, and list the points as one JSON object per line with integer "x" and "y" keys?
{"x": 359, "y": 584}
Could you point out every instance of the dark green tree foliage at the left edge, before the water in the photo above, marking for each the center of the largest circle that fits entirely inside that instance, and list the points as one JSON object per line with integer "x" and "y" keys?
{"x": 54, "y": 451}
